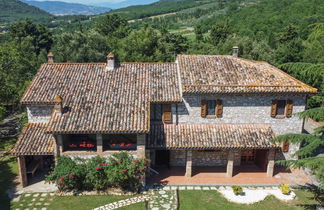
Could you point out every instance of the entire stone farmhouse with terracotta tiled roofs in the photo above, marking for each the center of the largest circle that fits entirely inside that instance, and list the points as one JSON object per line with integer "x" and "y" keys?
{"x": 201, "y": 110}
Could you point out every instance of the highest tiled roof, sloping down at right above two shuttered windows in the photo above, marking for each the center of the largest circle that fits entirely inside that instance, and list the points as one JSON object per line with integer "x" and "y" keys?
{"x": 228, "y": 74}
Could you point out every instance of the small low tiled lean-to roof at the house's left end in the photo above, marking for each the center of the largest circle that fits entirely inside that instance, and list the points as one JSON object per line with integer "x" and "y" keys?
{"x": 34, "y": 141}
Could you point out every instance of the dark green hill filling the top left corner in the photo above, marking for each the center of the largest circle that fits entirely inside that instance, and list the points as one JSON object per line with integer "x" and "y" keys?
{"x": 13, "y": 10}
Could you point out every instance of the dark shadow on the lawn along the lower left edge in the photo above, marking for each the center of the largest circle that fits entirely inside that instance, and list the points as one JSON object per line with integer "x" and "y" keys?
{"x": 7, "y": 178}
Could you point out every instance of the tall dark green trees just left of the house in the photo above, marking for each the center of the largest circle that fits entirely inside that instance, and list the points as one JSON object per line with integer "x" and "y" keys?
{"x": 20, "y": 56}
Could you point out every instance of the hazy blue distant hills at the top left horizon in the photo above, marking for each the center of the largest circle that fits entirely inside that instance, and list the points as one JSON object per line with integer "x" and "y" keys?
{"x": 64, "y": 8}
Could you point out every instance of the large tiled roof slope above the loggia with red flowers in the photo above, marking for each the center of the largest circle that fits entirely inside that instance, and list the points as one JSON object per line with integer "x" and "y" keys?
{"x": 96, "y": 100}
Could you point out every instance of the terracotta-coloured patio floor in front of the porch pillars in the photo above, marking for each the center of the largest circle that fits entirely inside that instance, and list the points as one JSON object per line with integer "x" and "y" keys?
{"x": 243, "y": 175}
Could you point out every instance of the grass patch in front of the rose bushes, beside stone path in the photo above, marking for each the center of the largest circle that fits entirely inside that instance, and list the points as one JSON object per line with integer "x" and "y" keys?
{"x": 89, "y": 202}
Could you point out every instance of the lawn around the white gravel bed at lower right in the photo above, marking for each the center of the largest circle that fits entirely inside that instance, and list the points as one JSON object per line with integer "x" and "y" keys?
{"x": 192, "y": 200}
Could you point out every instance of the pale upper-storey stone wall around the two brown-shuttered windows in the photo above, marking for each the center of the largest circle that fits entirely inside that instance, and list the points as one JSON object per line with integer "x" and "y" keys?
{"x": 243, "y": 109}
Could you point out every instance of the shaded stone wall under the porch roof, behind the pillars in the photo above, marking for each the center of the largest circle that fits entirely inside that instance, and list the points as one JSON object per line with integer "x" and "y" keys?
{"x": 203, "y": 158}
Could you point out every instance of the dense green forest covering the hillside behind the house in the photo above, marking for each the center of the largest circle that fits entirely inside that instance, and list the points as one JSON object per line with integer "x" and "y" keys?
{"x": 288, "y": 34}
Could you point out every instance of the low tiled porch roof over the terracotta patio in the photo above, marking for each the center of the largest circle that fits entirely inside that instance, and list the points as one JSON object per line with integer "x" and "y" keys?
{"x": 210, "y": 136}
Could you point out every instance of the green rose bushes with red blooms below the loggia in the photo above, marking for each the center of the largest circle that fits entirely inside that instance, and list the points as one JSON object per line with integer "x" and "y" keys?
{"x": 120, "y": 170}
